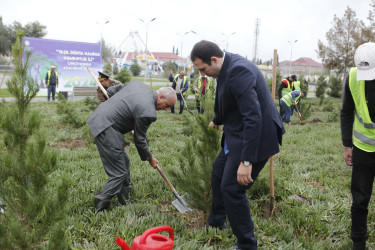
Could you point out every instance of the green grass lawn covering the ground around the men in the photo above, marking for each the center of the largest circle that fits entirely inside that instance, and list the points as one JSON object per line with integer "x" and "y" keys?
{"x": 310, "y": 164}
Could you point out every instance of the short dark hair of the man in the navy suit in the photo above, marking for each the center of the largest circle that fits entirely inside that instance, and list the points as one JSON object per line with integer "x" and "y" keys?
{"x": 205, "y": 50}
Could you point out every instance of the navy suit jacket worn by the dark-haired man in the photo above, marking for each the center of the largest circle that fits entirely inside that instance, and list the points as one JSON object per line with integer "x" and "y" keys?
{"x": 252, "y": 126}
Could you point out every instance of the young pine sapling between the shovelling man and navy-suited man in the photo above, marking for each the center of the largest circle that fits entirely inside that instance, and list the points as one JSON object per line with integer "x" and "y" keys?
{"x": 194, "y": 174}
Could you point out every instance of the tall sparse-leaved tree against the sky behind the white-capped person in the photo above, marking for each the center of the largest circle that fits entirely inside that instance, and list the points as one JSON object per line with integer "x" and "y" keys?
{"x": 343, "y": 38}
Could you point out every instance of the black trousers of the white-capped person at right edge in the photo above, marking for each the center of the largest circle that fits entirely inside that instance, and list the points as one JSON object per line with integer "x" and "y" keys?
{"x": 361, "y": 188}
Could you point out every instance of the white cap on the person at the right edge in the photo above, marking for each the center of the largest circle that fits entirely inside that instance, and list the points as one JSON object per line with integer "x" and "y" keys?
{"x": 364, "y": 59}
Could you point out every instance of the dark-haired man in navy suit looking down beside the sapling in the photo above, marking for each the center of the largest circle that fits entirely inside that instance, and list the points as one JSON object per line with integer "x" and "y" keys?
{"x": 252, "y": 133}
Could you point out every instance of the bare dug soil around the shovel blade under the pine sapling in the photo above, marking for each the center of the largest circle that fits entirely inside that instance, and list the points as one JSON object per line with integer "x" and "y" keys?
{"x": 194, "y": 220}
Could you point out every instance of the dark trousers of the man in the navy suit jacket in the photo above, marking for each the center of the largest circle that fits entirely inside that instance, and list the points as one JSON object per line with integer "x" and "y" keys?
{"x": 229, "y": 200}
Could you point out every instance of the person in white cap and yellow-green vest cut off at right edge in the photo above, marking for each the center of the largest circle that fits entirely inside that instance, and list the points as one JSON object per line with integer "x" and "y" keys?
{"x": 358, "y": 137}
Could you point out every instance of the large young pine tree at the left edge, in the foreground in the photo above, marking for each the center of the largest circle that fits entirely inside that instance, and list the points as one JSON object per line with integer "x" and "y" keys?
{"x": 33, "y": 209}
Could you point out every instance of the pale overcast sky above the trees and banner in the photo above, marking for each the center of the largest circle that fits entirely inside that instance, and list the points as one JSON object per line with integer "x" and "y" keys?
{"x": 280, "y": 21}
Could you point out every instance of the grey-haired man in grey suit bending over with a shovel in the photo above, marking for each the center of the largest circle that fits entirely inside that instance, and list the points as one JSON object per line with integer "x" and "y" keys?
{"x": 131, "y": 106}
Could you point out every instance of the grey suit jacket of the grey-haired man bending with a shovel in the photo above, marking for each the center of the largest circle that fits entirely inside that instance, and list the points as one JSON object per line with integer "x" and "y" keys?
{"x": 131, "y": 106}
